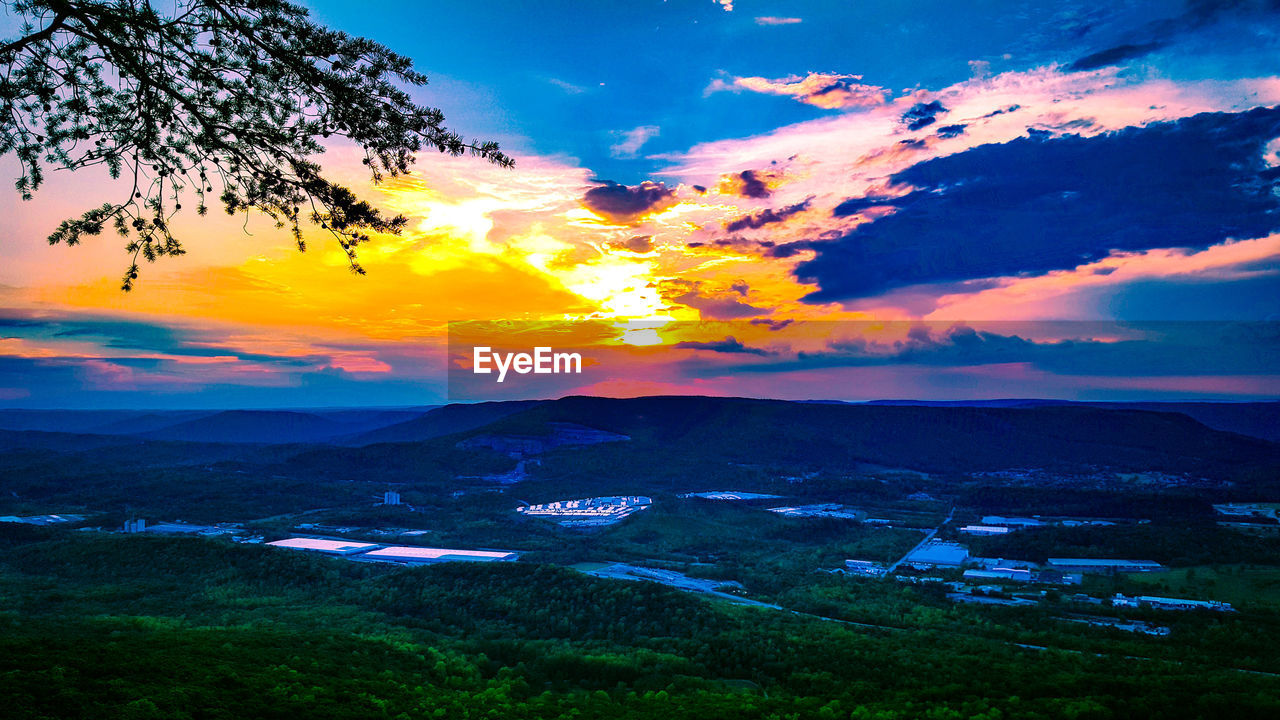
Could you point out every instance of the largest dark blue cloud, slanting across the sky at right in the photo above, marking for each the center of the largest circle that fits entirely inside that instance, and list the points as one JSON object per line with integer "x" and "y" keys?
{"x": 1030, "y": 207}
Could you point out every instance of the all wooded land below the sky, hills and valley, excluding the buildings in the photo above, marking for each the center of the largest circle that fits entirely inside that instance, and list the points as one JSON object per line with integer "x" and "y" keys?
{"x": 107, "y": 626}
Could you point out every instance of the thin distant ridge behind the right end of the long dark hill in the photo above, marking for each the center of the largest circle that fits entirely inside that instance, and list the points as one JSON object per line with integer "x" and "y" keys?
{"x": 1255, "y": 420}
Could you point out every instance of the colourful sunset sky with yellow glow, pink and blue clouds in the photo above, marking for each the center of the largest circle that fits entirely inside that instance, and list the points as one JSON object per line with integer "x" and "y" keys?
{"x": 806, "y": 200}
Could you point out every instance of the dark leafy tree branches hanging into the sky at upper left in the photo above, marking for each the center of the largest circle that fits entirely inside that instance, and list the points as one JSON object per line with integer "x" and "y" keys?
{"x": 235, "y": 95}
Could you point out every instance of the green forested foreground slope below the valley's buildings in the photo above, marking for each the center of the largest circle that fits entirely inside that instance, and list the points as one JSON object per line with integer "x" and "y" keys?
{"x": 141, "y": 627}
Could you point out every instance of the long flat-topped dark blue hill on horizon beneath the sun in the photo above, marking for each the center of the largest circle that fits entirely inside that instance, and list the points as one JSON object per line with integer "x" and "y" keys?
{"x": 917, "y": 438}
